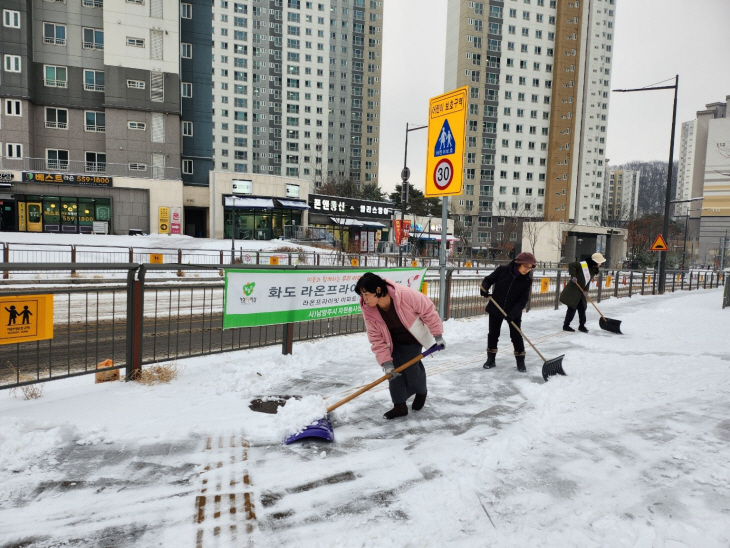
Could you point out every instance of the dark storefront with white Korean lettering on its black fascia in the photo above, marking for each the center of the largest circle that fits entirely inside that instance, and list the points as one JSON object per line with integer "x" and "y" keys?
{"x": 356, "y": 226}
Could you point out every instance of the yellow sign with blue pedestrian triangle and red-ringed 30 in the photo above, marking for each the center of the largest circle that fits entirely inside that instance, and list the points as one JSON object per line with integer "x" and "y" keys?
{"x": 446, "y": 136}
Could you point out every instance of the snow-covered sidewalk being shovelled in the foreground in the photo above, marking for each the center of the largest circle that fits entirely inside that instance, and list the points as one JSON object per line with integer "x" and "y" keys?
{"x": 629, "y": 449}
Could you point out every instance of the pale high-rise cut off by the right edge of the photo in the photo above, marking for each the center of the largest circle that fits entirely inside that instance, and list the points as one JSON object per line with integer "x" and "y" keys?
{"x": 704, "y": 172}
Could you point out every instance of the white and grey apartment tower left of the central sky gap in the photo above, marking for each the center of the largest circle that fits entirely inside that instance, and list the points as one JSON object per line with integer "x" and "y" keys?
{"x": 297, "y": 88}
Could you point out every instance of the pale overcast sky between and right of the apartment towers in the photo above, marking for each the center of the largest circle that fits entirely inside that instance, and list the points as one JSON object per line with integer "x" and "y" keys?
{"x": 654, "y": 40}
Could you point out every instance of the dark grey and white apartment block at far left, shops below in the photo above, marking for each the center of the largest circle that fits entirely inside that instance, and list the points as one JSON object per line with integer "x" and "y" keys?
{"x": 90, "y": 120}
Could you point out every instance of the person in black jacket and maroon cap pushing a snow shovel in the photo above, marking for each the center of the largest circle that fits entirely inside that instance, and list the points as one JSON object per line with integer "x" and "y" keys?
{"x": 510, "y": 287}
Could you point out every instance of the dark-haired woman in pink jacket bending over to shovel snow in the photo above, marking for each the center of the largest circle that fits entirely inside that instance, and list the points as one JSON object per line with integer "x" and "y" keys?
{"x": 400, "y": 321}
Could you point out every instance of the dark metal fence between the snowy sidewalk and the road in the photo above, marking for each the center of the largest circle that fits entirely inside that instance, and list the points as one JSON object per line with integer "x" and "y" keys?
{"x": 140, "y": 316}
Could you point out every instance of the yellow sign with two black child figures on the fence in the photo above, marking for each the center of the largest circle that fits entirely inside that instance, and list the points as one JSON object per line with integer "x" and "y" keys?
{"x": 26, "y": 318}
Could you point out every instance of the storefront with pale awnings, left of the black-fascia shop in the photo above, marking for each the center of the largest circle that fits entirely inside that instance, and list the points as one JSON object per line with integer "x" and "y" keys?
{"x": 259, "y": 218}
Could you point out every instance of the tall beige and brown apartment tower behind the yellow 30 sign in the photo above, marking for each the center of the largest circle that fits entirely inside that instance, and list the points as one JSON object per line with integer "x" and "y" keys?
{"x": 539, "y": 73}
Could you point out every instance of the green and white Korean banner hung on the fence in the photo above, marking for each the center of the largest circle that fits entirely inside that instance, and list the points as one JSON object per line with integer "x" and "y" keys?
{"x": 269, "y": 297}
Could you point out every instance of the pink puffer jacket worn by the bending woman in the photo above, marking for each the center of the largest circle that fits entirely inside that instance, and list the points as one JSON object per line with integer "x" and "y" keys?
{"x": 416, "y": 312}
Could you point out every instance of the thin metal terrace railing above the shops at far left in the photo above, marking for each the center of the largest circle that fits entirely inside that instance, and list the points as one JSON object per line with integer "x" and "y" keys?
{"x": 79, "y": 167}
